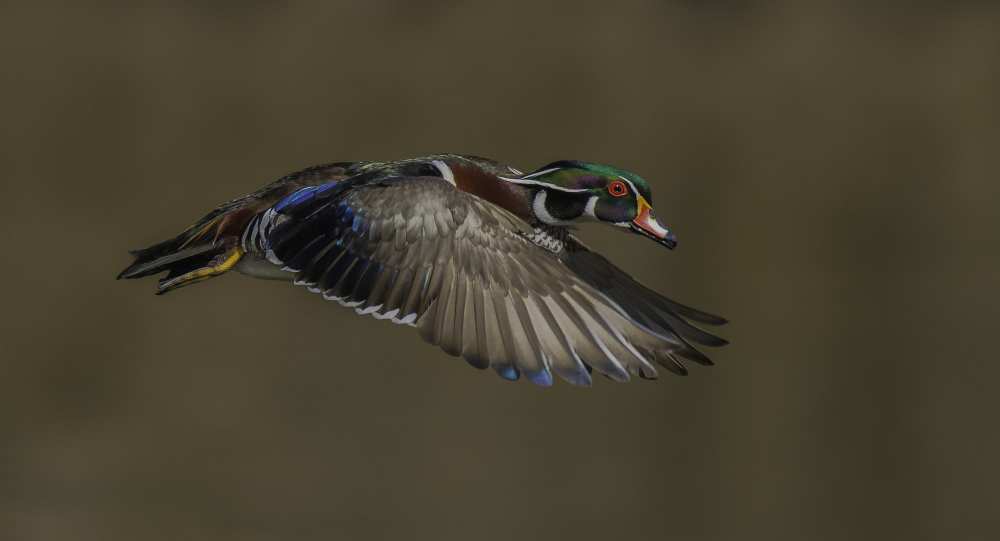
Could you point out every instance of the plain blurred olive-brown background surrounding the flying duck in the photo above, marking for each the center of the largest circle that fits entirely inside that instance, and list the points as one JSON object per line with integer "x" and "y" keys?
{"x": 830, "y": 167}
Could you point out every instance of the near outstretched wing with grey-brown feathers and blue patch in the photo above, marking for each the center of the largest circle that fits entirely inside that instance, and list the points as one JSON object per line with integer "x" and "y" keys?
{"x": 473, "y": 278}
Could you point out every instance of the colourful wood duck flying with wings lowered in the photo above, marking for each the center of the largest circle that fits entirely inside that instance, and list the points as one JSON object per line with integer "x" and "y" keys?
{"x": 475, "y": 254}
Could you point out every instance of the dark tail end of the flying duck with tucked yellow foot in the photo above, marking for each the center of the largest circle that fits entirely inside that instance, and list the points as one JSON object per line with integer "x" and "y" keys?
{"x": 209, "y": 248}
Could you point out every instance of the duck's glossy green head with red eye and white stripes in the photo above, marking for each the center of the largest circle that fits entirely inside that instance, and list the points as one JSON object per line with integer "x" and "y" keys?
{"x": 569, "y": 192}
